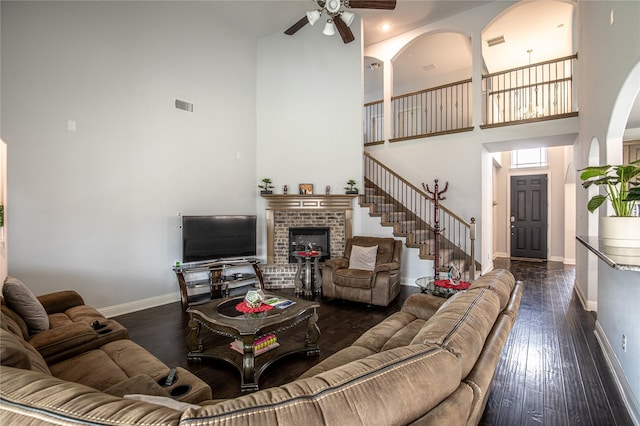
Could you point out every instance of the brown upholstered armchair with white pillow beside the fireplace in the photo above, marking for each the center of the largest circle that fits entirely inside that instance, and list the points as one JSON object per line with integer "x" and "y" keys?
{"x": 369, "y": 272}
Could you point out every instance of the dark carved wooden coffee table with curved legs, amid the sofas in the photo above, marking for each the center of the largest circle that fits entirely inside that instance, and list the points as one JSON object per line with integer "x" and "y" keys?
{"x": 220, "y": 317}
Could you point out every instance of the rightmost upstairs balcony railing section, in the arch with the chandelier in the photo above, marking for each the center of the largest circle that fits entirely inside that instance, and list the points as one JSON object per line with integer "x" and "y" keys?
{"x": 534, "y": 92}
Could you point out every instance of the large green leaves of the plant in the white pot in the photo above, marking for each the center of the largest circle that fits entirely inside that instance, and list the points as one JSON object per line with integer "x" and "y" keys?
{"x": 621, "y": 184}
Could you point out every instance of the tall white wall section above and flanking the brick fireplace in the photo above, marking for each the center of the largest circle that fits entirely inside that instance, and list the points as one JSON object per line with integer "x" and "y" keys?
{"x": 309, "y": 112}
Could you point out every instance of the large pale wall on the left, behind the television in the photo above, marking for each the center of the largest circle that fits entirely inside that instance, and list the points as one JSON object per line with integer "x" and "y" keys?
{"x": 95, "y": 209}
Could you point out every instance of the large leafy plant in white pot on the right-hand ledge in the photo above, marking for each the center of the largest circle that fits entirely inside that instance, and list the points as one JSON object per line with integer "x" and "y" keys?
{"x": 622, "y": 189}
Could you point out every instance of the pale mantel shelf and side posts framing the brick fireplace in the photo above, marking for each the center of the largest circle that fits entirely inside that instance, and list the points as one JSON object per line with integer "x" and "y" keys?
{"x": 305, "y": 203}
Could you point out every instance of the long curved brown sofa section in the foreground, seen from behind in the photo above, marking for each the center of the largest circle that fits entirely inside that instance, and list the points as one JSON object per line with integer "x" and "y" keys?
{"x": 430, "y": 363}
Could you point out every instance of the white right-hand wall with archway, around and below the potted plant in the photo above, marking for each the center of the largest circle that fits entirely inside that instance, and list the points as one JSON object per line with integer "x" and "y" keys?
{"x": 609, "y": 54}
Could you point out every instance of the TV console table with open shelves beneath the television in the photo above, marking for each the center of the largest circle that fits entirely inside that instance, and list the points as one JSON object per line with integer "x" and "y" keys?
{"x": 217, "y": 281}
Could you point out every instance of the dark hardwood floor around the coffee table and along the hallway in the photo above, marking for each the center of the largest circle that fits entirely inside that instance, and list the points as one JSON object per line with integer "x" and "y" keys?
{"x": 551, "y": 372}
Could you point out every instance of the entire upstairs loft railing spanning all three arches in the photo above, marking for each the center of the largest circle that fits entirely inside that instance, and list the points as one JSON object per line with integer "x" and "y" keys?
{"x": 535, "y": 92}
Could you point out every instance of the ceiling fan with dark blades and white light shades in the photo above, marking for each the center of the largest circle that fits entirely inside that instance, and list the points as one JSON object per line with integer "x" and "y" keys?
{"x": 339, "y": 17}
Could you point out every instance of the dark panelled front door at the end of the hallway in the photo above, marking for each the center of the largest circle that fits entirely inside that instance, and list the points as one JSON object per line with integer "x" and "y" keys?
{"x": 529, "y": 216}
